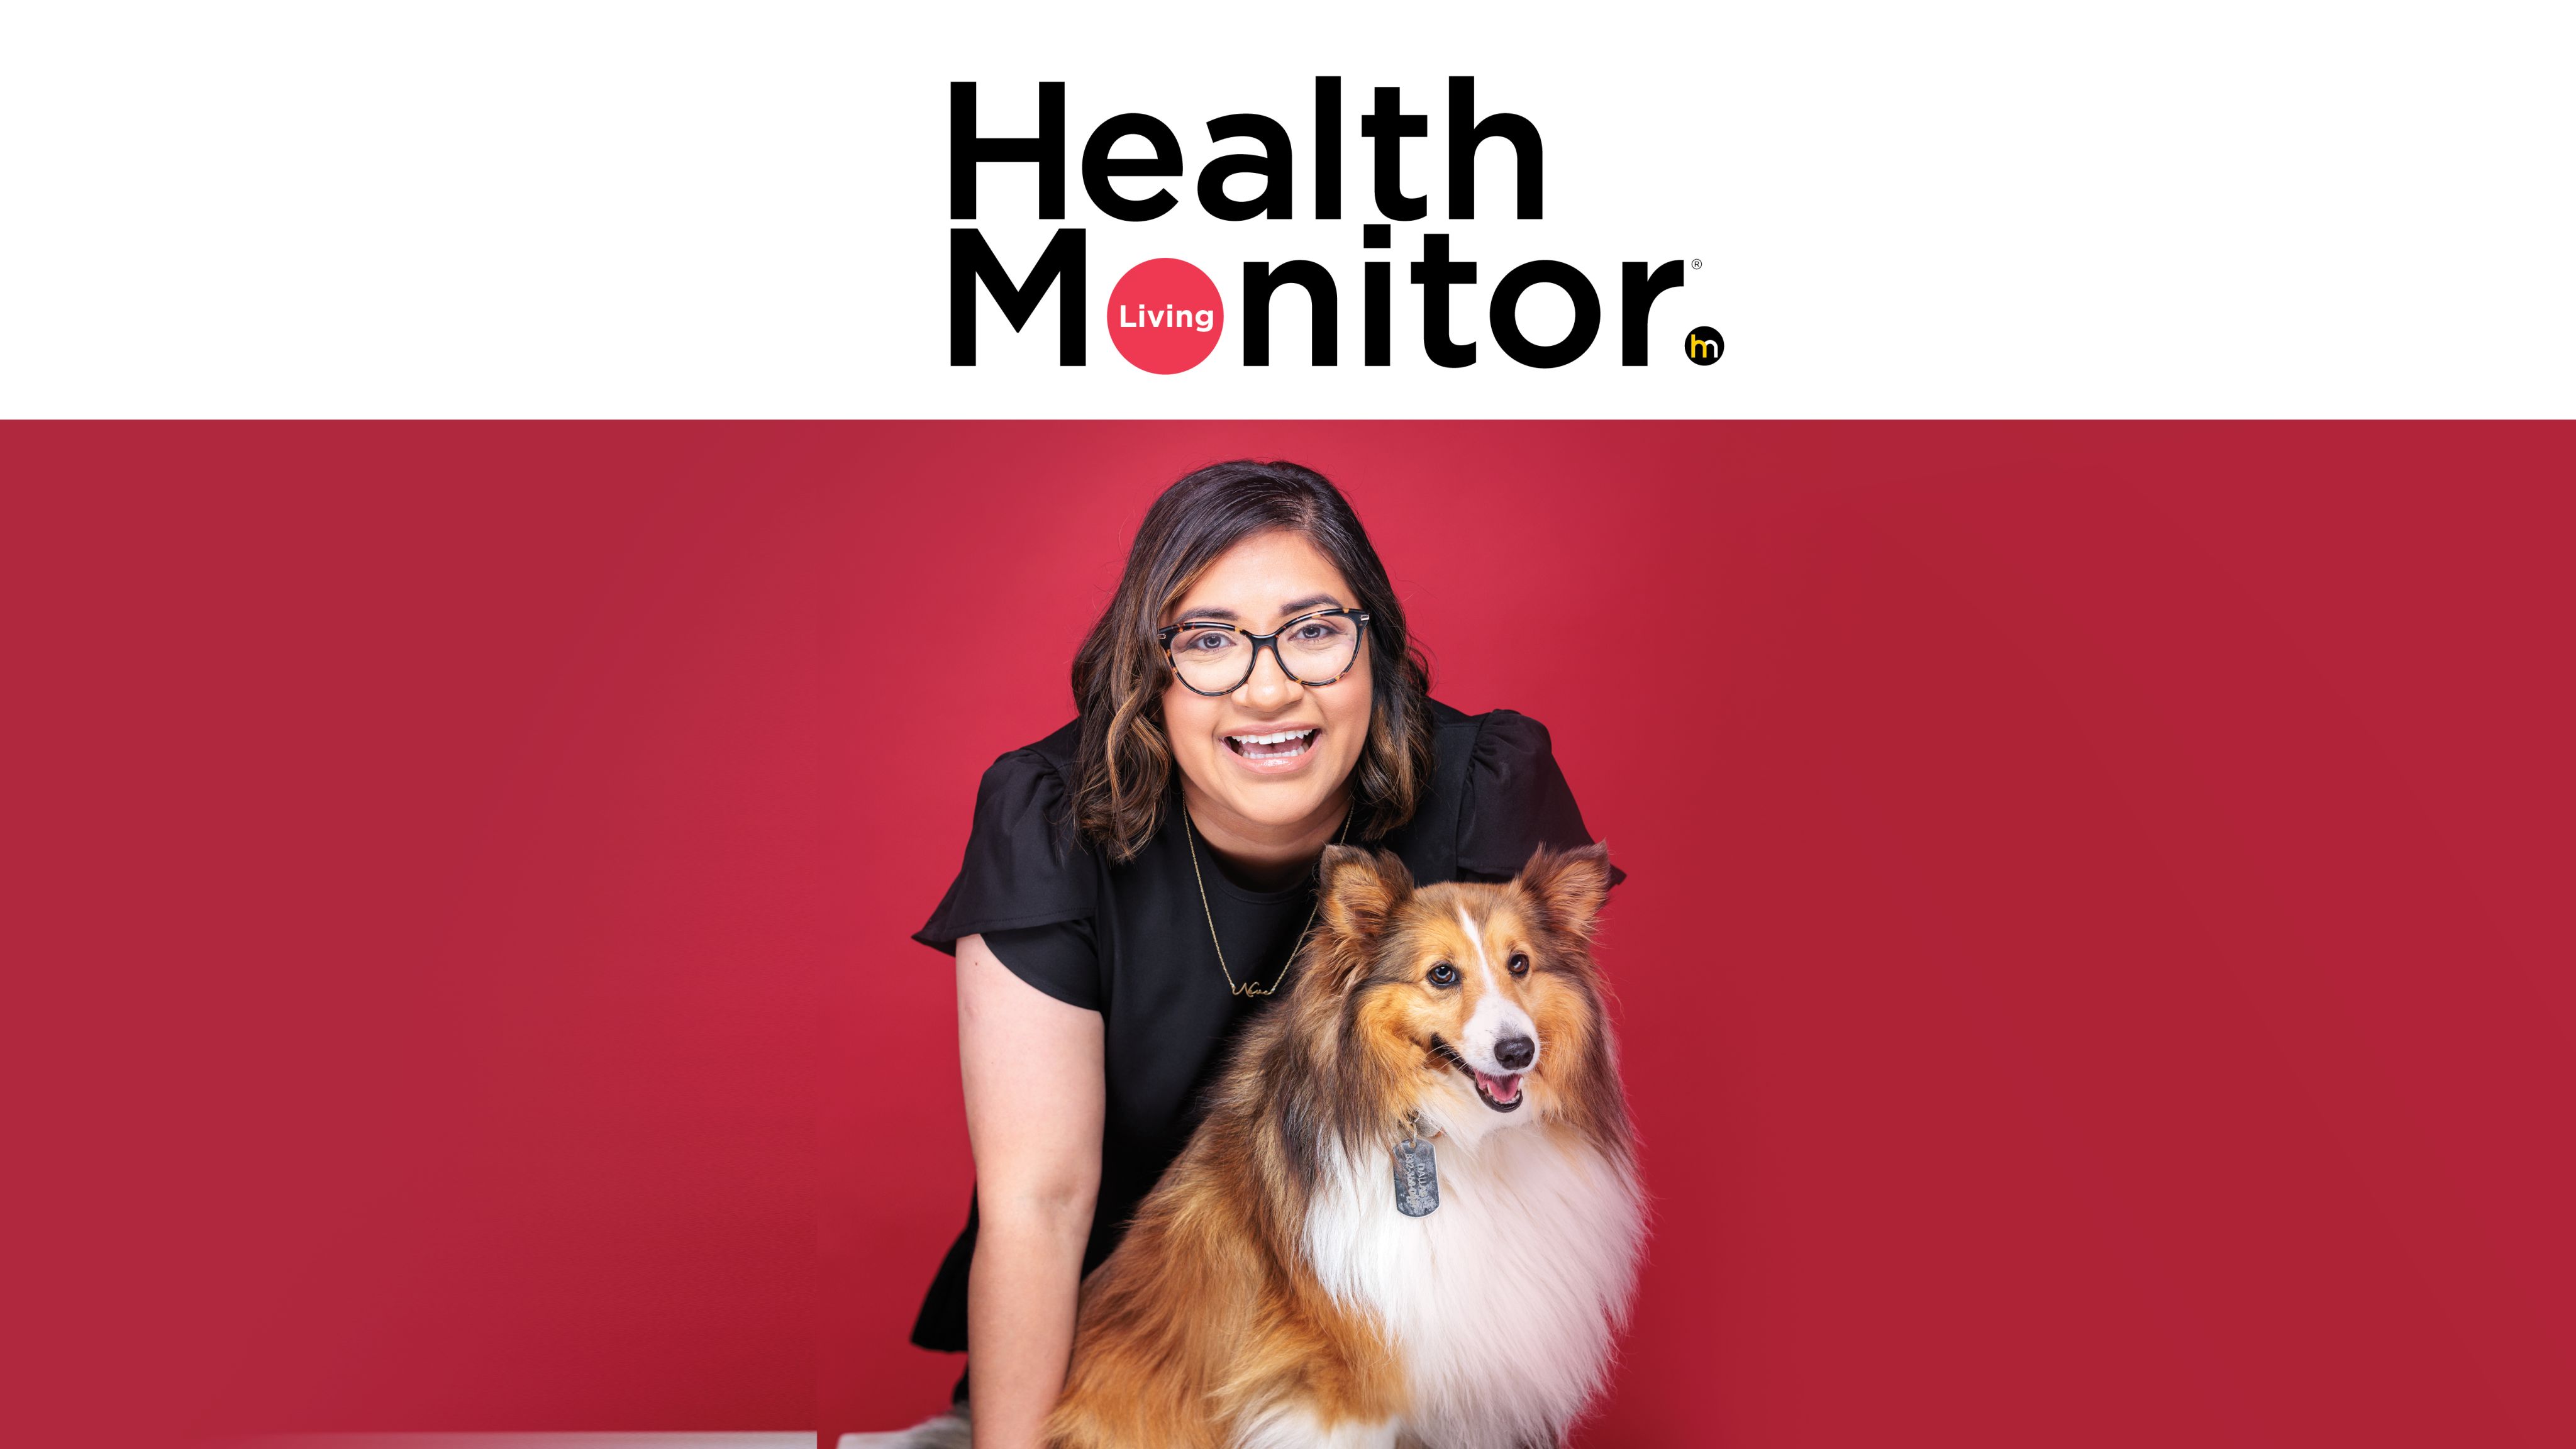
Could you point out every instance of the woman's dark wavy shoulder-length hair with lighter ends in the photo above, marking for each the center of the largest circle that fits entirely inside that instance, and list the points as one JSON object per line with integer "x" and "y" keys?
{"x": 1124, "y": 772}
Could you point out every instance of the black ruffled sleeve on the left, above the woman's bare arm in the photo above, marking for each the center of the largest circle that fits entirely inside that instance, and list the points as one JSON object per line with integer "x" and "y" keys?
{"x": 1024, "y": 865}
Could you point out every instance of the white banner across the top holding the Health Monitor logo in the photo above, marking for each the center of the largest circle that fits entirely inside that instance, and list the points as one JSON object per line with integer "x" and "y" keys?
{"x": 2204, "y": 210}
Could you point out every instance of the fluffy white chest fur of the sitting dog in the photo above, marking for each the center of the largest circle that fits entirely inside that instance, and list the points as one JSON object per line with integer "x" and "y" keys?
{"x": 1506, "y": 1301}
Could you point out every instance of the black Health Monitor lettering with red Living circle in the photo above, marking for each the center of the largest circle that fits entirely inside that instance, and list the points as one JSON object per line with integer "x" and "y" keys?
{"x": 1166, "y": 316}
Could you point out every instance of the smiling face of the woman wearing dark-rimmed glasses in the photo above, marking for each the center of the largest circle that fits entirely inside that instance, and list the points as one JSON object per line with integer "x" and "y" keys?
{"x": 1243, "y": 780}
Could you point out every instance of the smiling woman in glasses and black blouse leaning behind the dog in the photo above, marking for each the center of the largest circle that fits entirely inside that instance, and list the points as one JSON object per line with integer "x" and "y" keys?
{"x": 1140, "y": 880}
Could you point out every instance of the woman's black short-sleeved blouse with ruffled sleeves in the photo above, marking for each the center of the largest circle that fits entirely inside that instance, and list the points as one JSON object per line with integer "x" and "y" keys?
{"x": 1132, "y": 942}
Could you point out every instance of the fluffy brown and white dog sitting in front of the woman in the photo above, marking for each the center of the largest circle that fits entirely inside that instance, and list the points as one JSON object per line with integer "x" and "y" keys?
{"x": 1274, "y": 1296}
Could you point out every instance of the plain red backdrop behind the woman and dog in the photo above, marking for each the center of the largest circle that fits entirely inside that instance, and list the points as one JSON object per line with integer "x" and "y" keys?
{"x": 2096, "y": 966}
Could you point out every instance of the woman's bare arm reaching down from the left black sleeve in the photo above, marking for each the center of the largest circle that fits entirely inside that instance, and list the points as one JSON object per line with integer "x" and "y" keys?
{"x": 1034, "y": 1107}
